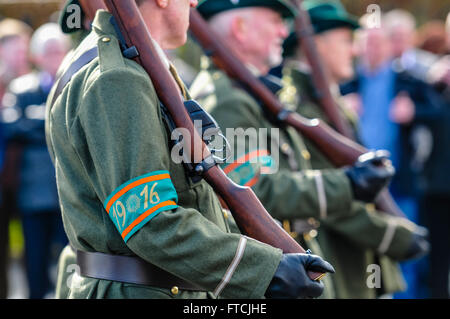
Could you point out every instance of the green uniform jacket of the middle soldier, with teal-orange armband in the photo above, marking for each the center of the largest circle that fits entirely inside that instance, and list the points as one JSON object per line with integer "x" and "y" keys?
{"x": 275, "y": 165}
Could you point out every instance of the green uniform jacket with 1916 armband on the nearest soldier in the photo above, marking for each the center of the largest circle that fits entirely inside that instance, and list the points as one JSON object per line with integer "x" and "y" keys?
{"x": 121, "y": 193}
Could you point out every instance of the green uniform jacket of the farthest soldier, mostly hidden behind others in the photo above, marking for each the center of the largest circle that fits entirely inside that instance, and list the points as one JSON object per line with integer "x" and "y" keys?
{"x": 369, "y": 237}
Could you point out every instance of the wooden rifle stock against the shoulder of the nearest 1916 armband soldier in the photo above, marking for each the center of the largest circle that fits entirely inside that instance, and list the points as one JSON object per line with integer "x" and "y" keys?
{"x": 250, "y": 215}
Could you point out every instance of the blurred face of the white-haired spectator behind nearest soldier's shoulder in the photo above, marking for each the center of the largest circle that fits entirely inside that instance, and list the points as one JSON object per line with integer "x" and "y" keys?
{"x": 51, "y": 57}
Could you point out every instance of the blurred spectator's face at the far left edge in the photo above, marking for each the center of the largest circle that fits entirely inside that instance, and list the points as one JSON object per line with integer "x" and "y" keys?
{"x": 14, "y": 55}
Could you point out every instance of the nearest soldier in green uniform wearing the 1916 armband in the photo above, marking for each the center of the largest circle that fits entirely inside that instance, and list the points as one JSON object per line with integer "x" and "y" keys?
{"x": 140, "y": 226}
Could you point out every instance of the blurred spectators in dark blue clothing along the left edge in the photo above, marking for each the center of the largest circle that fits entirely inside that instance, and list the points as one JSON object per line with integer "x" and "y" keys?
{"x": 29, "y": 60}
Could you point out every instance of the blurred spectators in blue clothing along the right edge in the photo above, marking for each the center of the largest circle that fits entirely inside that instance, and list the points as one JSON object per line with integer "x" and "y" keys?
{"x": 401, "y": 93}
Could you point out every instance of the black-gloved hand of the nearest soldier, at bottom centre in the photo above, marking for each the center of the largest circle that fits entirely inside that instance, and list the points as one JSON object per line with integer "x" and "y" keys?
{"x": 291, "y": 279}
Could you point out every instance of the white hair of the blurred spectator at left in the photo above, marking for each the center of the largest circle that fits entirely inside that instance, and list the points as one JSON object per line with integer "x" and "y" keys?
{"x": 44, "y": 34}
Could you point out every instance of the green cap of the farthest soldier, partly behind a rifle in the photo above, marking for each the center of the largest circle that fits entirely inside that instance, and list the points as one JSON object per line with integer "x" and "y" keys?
{"x": 325, "y": 15}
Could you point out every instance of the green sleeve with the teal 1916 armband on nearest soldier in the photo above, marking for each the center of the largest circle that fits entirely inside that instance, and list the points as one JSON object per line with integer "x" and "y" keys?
{"x": 127, "y": 144}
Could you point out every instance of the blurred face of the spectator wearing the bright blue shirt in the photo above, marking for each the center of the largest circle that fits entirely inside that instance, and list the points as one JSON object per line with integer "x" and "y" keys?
{"x": 374, "y": 47}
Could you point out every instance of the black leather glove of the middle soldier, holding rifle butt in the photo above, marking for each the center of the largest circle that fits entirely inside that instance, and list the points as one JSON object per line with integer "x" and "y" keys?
{"x": 370, "y": 174}
